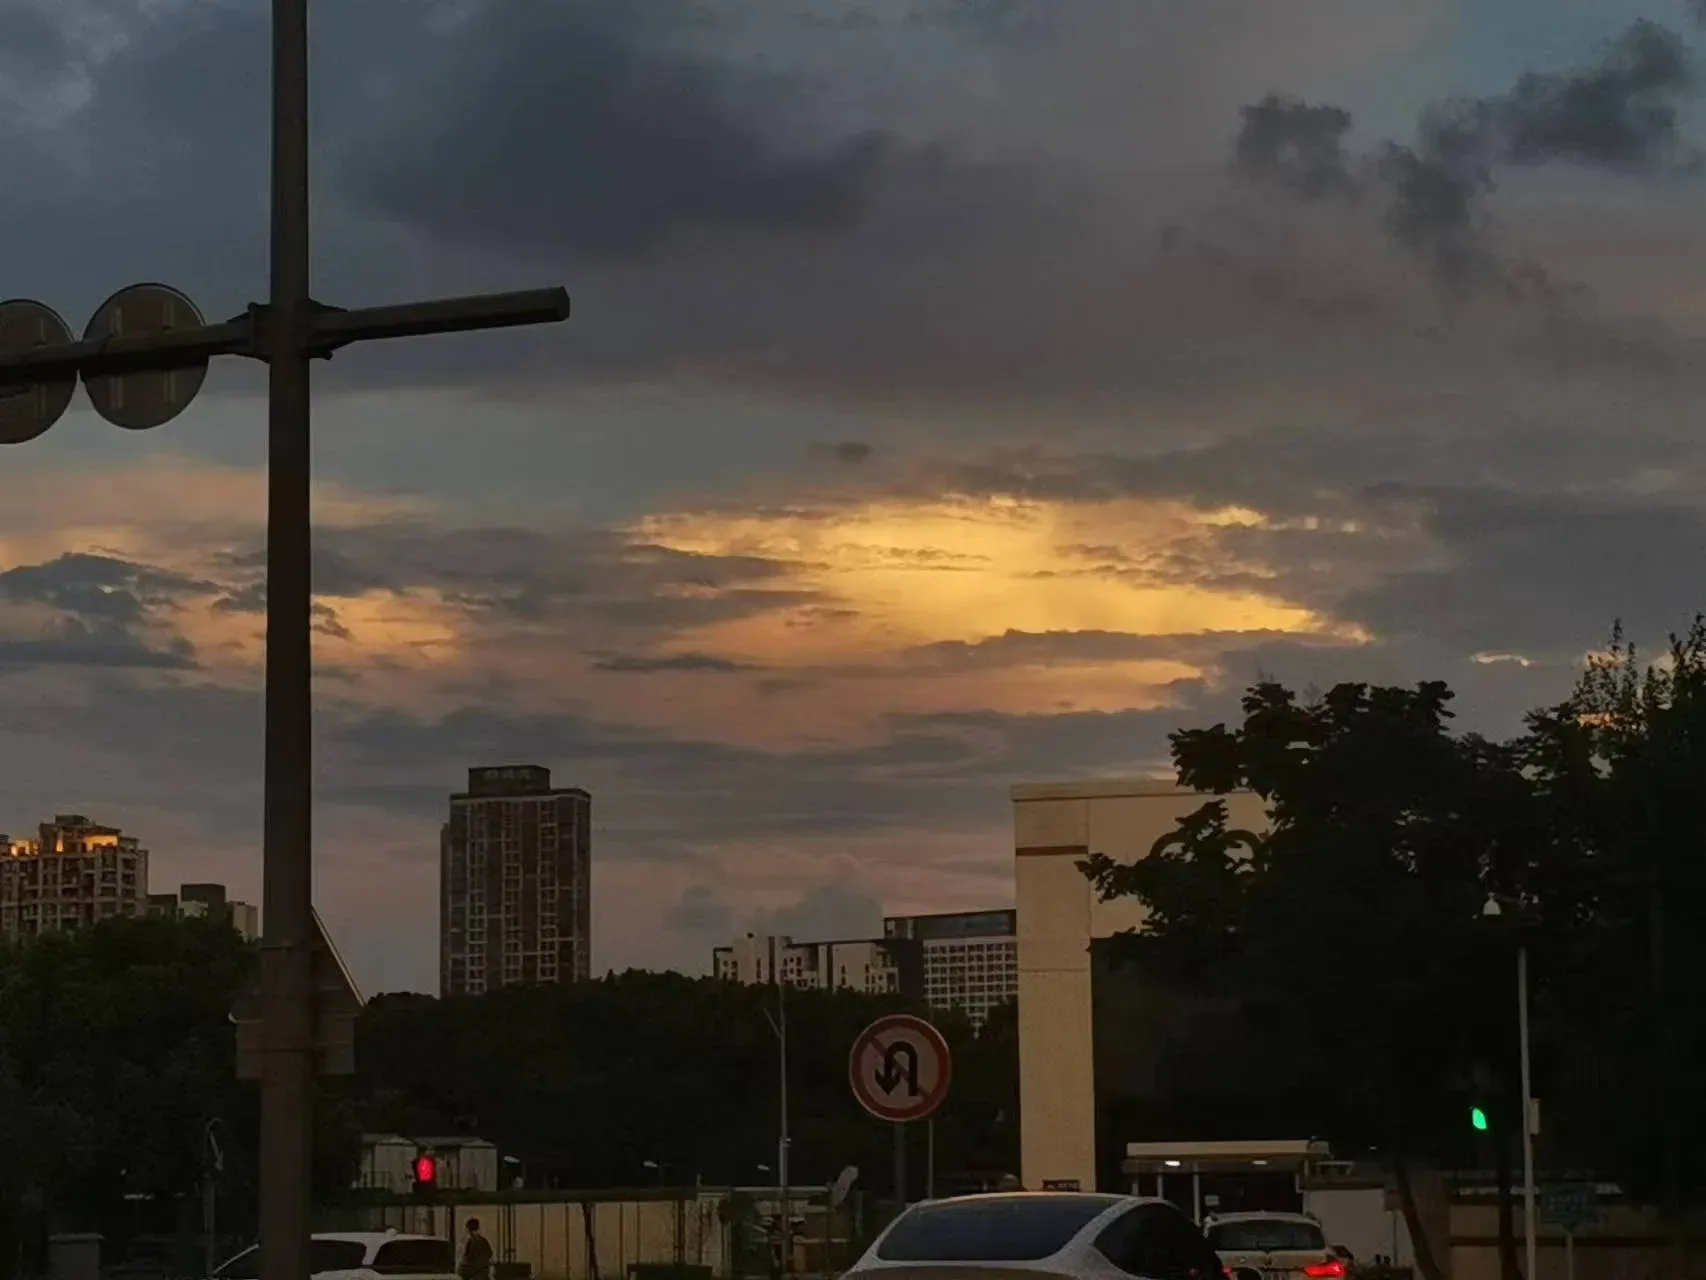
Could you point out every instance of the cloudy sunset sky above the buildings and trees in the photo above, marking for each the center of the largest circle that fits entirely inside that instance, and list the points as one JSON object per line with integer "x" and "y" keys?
{"x": 958, "y": 393}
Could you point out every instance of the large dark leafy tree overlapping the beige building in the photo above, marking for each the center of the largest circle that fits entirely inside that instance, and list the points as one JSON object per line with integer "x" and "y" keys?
{"x": 1352, "y": 929}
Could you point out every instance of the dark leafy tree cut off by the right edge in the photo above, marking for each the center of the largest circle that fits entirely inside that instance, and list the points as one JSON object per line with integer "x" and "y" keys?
{"x": 1623, "y": 764}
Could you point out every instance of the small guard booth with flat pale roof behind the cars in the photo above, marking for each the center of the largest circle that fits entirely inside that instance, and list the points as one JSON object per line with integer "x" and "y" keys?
{"x": 1226, "y": 1177}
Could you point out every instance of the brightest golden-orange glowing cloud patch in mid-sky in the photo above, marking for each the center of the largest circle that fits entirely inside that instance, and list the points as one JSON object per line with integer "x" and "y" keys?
{"x": 902, "y": 576}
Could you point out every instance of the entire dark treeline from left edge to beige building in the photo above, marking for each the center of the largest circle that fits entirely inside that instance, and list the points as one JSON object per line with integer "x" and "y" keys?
{"x": 117, "y": 1059}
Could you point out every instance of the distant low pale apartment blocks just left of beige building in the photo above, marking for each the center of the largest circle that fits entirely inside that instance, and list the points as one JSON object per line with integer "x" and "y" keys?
{"x": 961, "y": 960}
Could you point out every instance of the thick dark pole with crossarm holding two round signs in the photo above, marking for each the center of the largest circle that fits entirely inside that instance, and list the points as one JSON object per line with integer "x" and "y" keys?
{"x": 287, "y": 334}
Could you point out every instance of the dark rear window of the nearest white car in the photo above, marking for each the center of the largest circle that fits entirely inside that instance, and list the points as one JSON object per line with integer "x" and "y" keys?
{"x": 989, "y": 1231}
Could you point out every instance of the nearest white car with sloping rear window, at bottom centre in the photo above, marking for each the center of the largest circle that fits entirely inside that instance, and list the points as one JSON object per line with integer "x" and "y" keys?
{"x": 1042, "y": 1235}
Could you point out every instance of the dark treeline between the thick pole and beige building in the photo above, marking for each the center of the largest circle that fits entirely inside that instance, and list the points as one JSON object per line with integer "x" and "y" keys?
{"x": 589, "y": 1083}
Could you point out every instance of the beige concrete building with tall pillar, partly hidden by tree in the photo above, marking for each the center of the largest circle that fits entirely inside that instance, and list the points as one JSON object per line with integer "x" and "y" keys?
{"x": 1057, "y": 827}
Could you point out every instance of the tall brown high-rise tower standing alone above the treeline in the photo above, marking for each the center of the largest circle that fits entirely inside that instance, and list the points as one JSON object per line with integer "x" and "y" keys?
{"x": 514, "y": 883}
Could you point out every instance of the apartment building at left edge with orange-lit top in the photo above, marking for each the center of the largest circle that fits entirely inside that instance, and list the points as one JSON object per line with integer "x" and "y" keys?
{"x": 73, "y": 875}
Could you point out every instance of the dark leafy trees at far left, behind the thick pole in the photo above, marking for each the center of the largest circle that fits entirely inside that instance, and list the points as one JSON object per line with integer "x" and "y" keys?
{"x": 117, "y": 1054}
